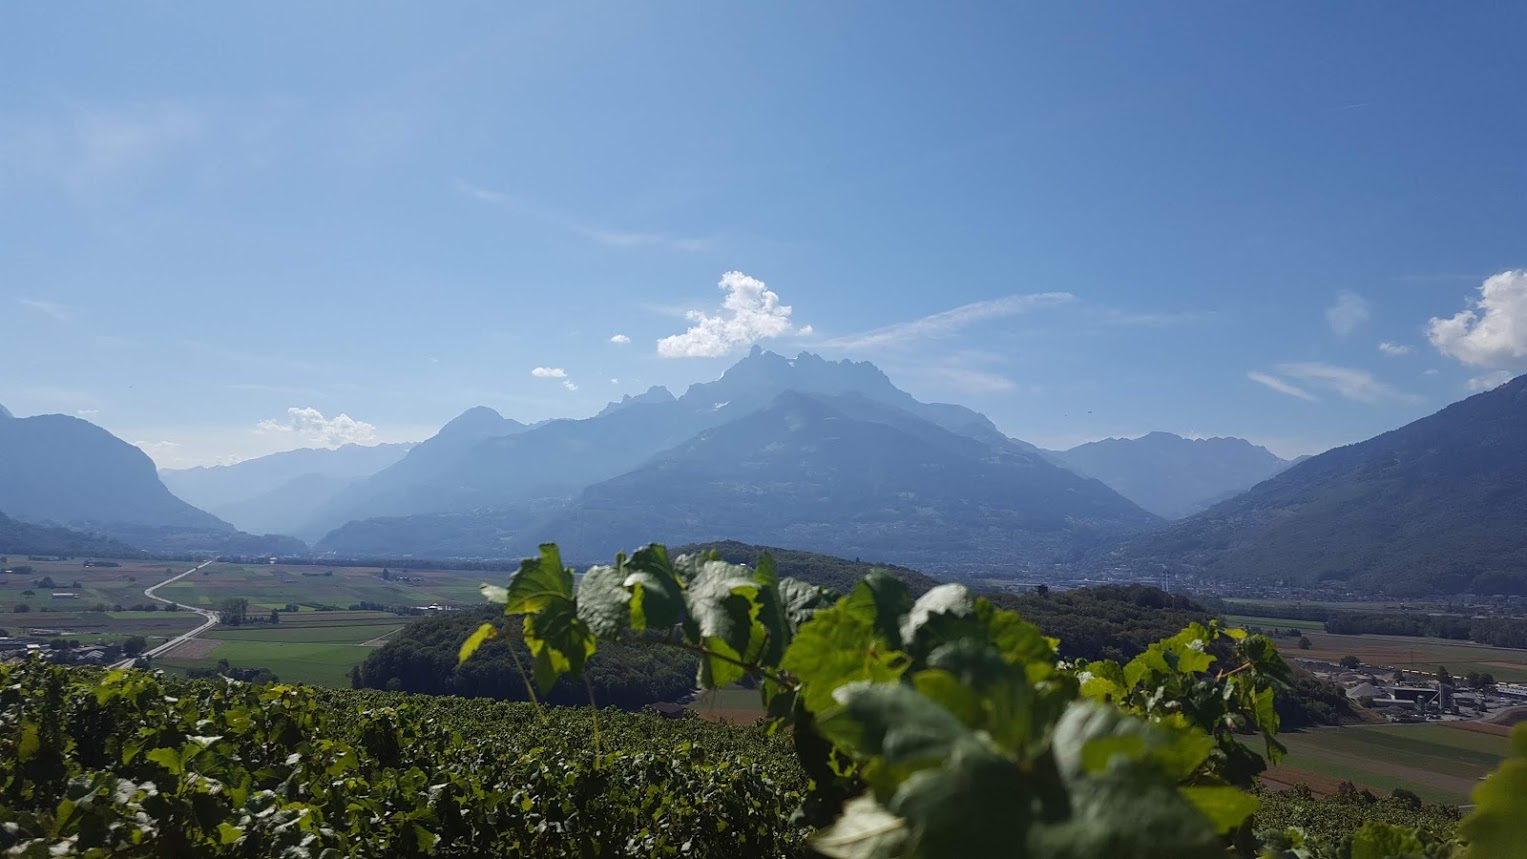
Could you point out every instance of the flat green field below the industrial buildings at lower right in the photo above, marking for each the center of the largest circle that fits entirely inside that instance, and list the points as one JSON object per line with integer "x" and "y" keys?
{"x": 1438, "y": 762}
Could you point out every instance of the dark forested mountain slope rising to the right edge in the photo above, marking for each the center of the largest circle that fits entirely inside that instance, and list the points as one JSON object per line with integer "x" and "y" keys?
{"x": 1435, "y": 507}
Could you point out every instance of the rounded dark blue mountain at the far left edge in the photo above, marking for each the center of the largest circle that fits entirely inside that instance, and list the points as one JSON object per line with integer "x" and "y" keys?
{"x": 62, "y": 471}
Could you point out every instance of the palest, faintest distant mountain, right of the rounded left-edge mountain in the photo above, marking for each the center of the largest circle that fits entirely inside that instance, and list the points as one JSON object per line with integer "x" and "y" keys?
{"x": 213, "y": 487}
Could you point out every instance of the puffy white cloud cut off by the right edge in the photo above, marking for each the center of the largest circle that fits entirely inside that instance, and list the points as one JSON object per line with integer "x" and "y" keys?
{"x": 1493, "y": 330}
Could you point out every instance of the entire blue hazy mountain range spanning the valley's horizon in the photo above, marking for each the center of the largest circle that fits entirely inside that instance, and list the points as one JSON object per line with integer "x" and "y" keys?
{"x": 831, "y": 457}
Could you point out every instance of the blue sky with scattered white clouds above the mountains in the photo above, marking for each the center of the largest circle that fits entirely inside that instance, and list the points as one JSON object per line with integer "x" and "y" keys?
{"x": 231, "y": 230}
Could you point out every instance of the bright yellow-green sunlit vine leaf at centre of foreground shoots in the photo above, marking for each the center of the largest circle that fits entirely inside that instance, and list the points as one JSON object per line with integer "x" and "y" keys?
{"x": 839, "y": 648}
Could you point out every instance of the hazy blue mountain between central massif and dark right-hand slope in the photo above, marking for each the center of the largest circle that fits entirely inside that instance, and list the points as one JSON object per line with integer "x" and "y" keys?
{"x": 1170, "y": 475}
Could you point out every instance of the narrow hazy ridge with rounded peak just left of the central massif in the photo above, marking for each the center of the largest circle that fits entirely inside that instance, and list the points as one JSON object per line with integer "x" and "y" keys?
{"x": 413, "y": 483}
